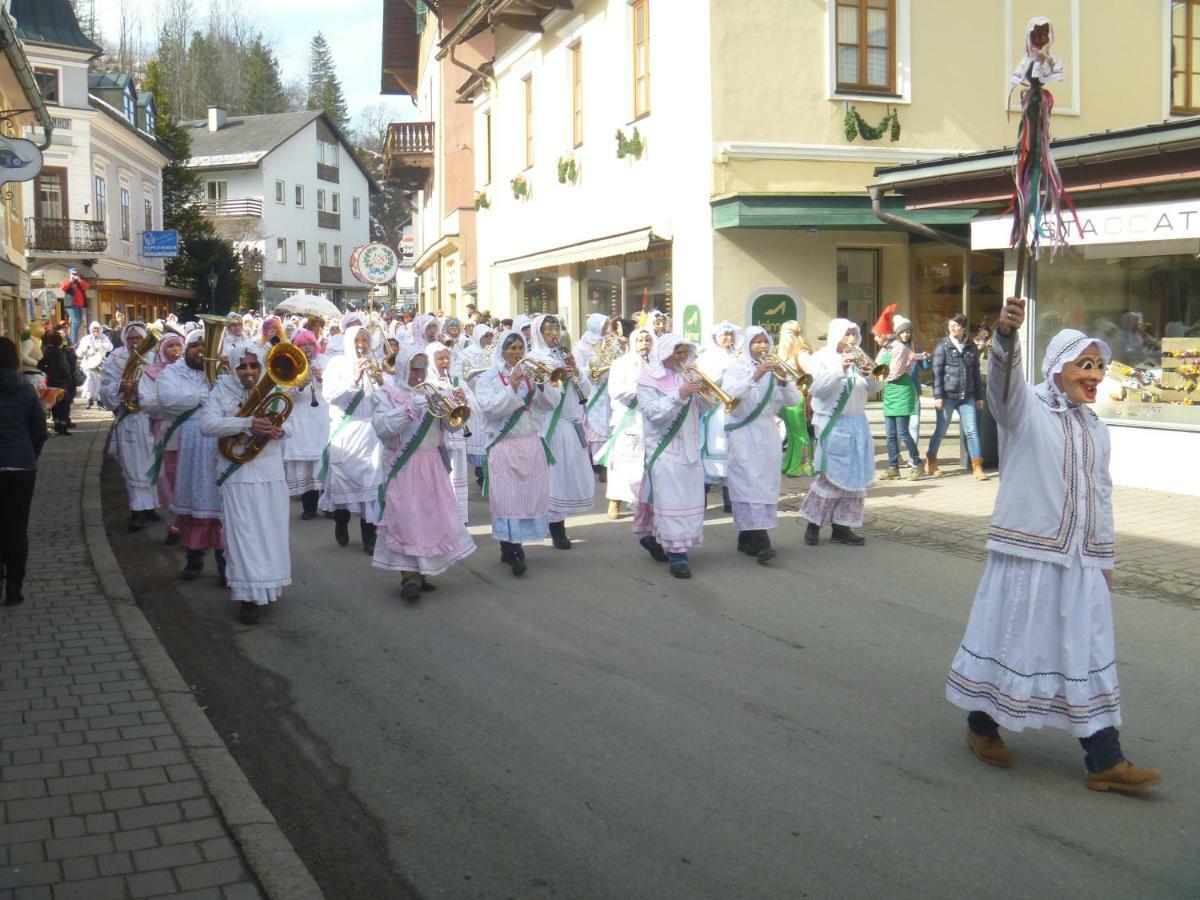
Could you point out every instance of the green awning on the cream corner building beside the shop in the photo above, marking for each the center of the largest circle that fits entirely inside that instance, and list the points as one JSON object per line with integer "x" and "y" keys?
{"x": 825, "y": 213}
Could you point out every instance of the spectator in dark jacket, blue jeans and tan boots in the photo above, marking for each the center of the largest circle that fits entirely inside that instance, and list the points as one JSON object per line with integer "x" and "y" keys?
{"x": 957, "y": 387}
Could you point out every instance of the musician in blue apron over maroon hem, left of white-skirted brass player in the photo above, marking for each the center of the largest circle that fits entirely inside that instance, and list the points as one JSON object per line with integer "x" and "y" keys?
{"x": 196, "y": 503}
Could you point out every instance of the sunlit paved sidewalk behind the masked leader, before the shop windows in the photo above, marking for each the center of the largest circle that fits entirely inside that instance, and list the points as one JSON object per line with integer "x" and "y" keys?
{"x": 1157, "y": 535}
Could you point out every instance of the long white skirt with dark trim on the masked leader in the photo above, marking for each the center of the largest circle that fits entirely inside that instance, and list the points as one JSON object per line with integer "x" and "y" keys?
{"x": 1040, "y": 649}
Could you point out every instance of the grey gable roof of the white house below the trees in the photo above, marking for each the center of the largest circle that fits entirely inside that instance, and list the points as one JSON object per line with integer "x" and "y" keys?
{"x": 247, "y": 140}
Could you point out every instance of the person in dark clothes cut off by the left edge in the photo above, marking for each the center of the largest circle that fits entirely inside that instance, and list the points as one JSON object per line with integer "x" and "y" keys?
{"x": 22, "y": 436}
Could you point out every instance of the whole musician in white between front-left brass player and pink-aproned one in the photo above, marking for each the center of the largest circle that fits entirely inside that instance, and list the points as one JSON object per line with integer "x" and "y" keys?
{"x": 352, "y": 466}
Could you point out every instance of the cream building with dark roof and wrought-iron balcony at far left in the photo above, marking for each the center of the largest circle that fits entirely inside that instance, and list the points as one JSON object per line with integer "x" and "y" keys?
{"x": 101, "y": 185}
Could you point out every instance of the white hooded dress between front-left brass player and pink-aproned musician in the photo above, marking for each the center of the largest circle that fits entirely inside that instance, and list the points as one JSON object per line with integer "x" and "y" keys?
{"x": 355, "y": 455}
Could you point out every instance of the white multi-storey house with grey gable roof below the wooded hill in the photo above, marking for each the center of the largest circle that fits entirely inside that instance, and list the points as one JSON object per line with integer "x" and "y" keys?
{"x": 291, "y": 187}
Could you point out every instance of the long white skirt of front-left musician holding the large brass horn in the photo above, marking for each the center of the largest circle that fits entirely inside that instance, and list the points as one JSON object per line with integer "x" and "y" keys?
{"x": 256, "y": 527}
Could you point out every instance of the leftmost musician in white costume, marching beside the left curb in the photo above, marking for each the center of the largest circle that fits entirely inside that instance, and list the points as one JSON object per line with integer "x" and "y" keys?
{"x": 133, "y": 442}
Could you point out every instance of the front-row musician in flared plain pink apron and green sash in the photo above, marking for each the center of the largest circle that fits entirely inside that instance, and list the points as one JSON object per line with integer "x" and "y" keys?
{"x": 422, "y": 530}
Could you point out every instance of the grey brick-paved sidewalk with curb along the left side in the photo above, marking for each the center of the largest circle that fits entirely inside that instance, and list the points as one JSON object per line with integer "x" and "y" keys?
{"x": 112, "y": 782}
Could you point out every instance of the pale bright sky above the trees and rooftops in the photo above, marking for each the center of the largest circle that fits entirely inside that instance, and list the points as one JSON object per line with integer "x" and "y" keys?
{"x": 352, "y": 28}
